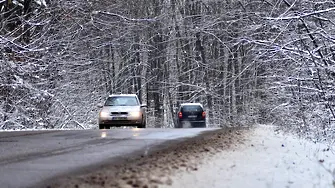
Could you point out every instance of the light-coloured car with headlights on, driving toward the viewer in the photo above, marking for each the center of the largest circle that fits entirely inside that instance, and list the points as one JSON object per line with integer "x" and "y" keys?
{"x": 122, "y": 110}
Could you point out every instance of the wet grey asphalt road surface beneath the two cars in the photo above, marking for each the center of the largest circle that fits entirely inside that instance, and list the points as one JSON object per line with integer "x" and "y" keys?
{"x": 30, "y": 157}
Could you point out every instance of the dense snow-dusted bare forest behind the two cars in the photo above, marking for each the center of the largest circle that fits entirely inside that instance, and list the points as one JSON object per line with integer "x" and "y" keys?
{"x": 247, "y": 61}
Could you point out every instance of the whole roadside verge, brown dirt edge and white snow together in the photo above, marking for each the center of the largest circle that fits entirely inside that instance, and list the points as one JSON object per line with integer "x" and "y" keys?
{"x": 229, "y": 158}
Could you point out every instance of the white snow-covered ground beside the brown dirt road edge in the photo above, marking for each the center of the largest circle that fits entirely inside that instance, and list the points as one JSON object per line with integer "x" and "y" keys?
{"x": 267, "y": 159}
